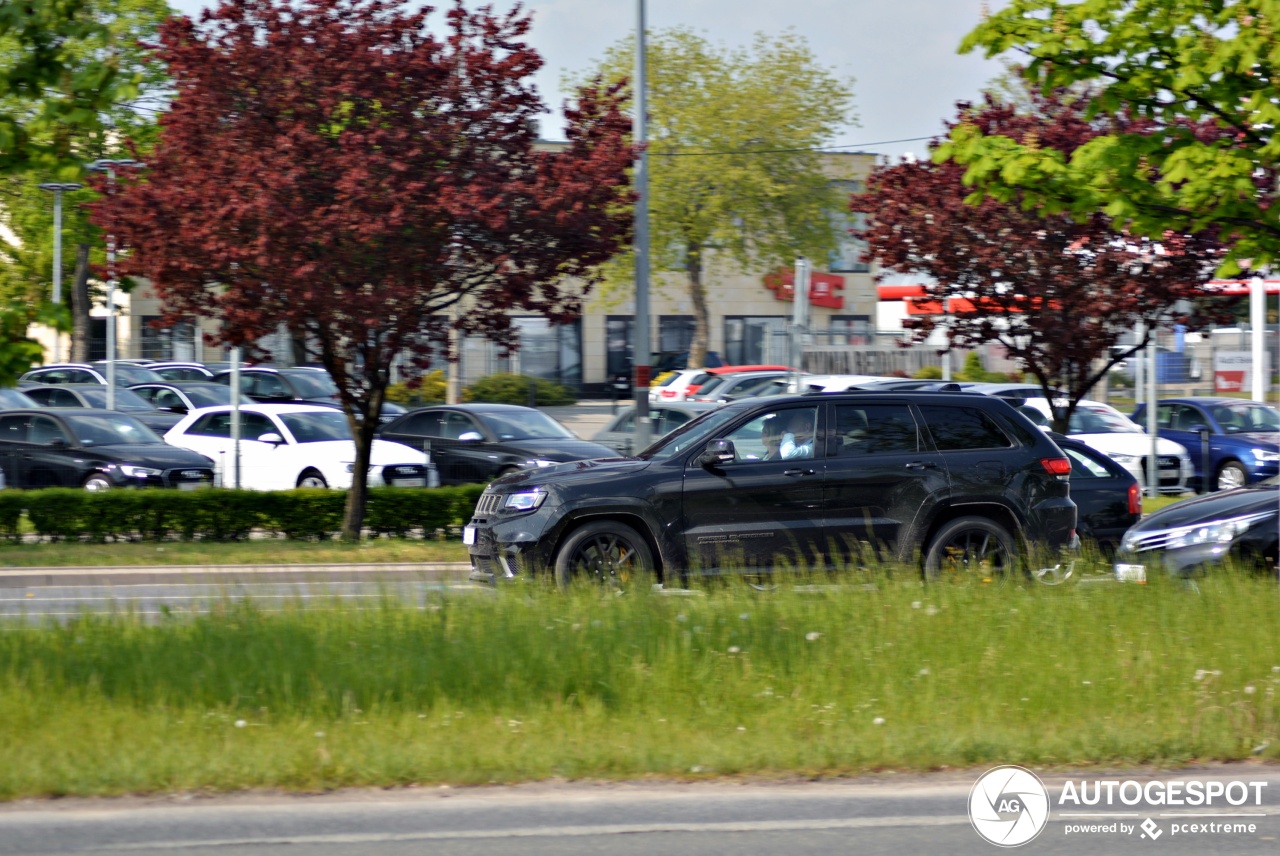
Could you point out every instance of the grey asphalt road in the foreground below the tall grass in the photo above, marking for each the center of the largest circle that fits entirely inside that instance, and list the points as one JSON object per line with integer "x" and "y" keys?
{"x": 913, "y": 816}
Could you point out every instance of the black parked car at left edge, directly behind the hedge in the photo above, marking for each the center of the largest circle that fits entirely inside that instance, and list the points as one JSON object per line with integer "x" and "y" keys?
{"x": 93, "y": 450}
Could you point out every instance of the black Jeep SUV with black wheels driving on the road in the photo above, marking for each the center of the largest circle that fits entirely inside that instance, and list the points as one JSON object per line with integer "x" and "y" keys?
{"x": 959, "y": 482}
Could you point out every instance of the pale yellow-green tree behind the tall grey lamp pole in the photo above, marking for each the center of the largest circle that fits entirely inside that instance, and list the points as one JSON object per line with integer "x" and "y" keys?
{"x": 734, "y": 171}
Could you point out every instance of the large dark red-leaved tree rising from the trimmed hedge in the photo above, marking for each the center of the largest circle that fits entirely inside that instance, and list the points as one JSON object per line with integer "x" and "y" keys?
{"x": 335, "y": 167}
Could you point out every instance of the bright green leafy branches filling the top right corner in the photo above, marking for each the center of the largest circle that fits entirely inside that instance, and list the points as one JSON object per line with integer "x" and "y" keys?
{"x": 1200, "y": 76}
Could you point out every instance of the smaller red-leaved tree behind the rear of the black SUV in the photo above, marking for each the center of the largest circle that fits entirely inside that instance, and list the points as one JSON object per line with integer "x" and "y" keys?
{"x": 1058, "y": 294}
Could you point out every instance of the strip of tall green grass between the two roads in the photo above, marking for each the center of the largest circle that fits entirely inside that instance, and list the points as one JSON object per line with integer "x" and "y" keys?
{"x": 531, "y": 684}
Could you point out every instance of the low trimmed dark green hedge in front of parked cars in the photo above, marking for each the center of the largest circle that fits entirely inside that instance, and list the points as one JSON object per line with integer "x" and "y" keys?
{"x": 218, "y": 515}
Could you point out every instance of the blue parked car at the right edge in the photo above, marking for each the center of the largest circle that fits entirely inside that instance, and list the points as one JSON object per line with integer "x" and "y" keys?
{"x": 1244, "y": 438}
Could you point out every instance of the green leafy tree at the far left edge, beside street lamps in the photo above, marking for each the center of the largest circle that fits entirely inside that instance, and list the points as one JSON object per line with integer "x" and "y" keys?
{"x": 52, "y": 56}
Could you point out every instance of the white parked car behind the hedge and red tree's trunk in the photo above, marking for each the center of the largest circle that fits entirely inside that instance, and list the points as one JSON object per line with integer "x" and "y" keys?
{"x": 292, "y": 446}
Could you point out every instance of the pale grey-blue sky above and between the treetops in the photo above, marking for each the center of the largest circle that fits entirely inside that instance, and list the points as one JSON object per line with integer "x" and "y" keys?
{"x": 900, "y": 53}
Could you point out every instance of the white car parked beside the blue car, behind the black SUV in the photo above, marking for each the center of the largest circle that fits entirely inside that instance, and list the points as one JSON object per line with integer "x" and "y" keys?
{"x": 1104, "y": 428}
